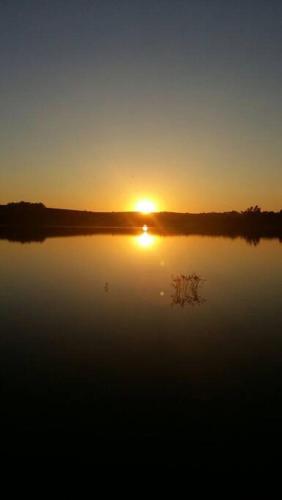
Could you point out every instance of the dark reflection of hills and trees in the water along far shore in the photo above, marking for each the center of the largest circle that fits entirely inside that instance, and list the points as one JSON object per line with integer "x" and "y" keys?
{"x": 30, "y": 234}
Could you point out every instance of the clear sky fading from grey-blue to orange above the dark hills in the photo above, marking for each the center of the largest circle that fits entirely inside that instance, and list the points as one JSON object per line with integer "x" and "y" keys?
{"x": 105, "y": 102}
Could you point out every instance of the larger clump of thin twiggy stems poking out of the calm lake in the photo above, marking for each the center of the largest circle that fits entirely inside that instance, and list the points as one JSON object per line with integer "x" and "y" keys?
{"x": 186, "y": 290}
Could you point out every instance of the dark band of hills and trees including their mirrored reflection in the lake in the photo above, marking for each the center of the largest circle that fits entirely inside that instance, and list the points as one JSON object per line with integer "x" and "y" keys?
{"x": 34, "y": 222}
